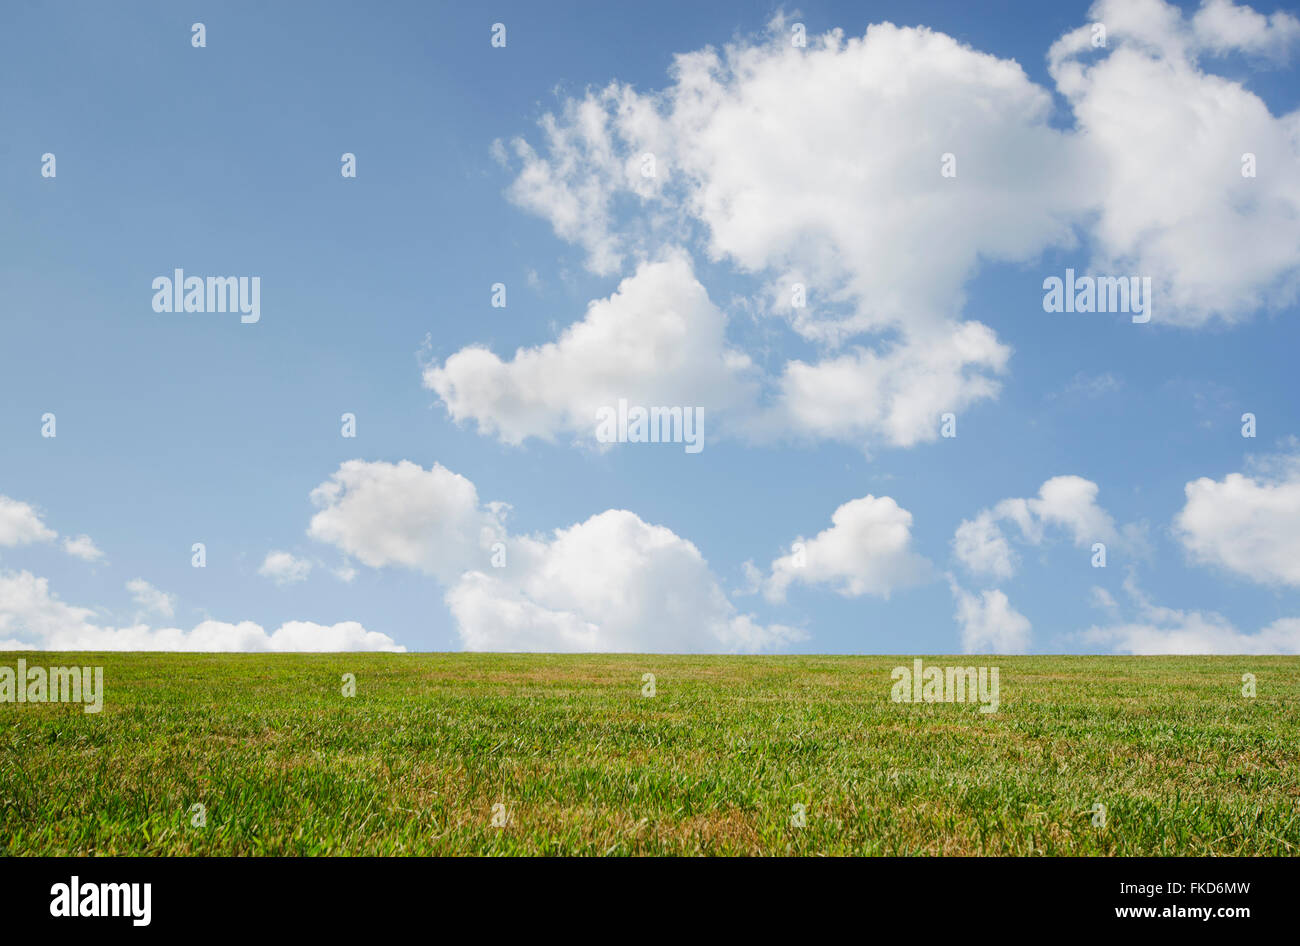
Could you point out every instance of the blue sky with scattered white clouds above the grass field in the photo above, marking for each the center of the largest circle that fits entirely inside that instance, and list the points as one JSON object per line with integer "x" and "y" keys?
{"x": 817, "y": 166}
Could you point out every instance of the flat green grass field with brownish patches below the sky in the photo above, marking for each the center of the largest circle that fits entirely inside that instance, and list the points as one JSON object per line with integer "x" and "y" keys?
{"x": 583, "y": 763}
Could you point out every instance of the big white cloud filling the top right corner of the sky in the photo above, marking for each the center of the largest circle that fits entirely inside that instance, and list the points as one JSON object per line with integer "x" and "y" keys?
{"x": 1169, "y": 140}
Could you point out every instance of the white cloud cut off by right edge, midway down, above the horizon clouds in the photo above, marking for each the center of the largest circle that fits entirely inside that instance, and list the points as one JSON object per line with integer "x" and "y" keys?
{"x": 1249, "y": 524}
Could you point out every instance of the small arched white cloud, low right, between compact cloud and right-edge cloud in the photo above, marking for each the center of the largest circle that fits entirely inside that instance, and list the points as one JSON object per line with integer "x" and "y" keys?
{"x": 1065, "y": 502}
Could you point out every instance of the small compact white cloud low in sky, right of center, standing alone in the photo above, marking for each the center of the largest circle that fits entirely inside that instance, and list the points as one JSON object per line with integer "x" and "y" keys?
{"x": 866, "y": 552}
